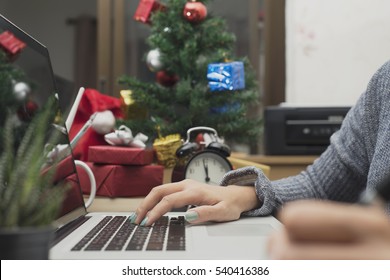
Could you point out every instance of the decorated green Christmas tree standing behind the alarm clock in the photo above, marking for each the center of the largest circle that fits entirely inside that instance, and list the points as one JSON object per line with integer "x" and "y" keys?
{"x": 199, "y": 82}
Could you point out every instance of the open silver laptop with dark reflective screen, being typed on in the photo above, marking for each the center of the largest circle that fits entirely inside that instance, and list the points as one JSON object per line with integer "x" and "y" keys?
{"x": 106, "y": 235}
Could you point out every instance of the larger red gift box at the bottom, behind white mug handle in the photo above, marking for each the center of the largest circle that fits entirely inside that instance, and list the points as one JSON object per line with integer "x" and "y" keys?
{"x": 122, "y": 180}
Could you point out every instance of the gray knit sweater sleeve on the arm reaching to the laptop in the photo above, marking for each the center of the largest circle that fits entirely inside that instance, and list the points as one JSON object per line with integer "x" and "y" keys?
{"x": 357, "y": 158}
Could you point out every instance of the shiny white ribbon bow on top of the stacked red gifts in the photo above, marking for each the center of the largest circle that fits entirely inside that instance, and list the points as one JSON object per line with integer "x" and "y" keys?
{"x": 124, "y": 137}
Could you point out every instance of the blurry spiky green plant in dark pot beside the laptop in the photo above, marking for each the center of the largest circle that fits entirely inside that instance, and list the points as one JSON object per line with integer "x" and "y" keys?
{"x": 29, "y": 199}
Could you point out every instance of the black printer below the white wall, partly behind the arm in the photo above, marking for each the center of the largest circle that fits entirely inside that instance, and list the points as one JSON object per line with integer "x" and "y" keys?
{"x": 300, "y": 130}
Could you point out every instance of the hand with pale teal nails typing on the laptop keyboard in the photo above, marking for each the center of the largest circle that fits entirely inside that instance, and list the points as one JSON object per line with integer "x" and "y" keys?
{"x": 214, "y": 203}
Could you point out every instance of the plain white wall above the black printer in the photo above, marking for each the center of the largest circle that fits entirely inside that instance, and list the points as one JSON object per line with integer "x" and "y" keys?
{"x": 333, "y": 47}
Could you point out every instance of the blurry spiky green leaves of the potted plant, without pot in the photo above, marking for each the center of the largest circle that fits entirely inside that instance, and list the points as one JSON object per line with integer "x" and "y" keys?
{"x": 28, "y": 196}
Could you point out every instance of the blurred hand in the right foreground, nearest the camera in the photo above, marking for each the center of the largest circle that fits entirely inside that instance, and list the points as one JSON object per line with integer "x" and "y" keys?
{"x": 329, "y": 230}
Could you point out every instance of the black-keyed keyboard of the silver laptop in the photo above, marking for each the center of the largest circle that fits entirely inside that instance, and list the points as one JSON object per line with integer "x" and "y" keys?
{"x": 117, "y": 234}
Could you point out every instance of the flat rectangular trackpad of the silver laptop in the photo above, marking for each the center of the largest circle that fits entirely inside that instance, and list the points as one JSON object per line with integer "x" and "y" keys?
{"x": 239, "y": 230}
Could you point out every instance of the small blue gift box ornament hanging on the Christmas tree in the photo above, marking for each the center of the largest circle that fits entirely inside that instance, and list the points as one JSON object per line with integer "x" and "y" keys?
{"x": 226, "y": 76}
